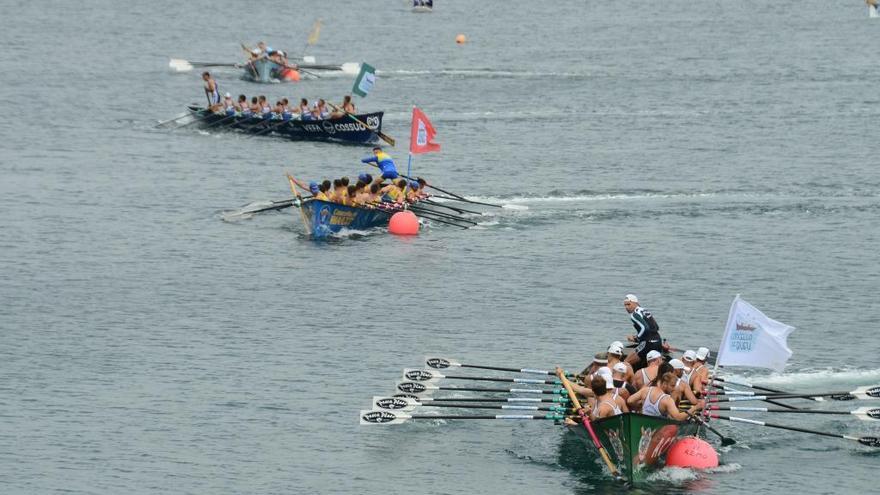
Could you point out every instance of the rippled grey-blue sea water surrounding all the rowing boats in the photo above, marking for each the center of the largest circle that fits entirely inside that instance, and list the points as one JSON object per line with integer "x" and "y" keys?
{"x": 684, "y": 151}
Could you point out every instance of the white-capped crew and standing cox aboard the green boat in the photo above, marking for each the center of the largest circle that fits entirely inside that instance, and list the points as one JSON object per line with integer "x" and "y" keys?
{"x": 654, "y": 387}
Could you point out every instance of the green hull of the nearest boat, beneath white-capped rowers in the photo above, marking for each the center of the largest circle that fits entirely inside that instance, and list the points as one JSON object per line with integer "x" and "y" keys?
{"x": 636, "y": 443}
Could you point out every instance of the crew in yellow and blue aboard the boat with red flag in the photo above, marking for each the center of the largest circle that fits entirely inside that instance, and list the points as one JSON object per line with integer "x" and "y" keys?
{"x": 369, "y": 191}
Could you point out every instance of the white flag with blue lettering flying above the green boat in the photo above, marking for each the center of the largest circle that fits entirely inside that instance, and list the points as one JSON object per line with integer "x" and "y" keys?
{"x": 752, "y": 339}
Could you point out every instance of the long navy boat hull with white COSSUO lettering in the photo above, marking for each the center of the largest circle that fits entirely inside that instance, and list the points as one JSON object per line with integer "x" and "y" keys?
{"x": 339, "y": 129}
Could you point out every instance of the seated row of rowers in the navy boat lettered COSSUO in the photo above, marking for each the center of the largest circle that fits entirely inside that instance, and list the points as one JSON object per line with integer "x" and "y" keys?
{"x": 282, "y": 109}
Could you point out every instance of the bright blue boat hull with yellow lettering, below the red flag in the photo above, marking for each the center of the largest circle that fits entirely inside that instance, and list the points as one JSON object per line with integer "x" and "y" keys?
{"x": 324, "y": 219}
